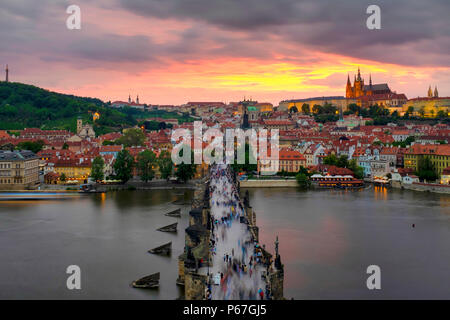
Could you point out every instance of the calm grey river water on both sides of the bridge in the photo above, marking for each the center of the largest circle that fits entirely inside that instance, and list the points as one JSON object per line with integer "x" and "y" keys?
{"x": 327, "y": 240}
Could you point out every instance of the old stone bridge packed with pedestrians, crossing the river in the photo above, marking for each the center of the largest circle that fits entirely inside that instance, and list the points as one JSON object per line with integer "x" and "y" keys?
{"x": 222, "y": 257}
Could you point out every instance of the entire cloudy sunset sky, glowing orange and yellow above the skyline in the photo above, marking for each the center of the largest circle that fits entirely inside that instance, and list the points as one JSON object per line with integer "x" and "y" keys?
{"x": 174, "y": 51}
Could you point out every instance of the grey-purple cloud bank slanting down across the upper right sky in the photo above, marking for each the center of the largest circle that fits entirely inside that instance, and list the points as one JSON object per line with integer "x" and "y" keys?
{"x": 338, "y": 26}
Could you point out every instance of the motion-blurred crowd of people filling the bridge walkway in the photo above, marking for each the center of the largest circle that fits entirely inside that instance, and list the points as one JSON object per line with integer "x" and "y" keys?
{"x": 238, "y": 262}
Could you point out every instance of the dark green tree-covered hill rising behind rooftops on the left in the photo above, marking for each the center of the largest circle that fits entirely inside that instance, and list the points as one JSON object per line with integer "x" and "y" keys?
{"x": 26, "y": 106}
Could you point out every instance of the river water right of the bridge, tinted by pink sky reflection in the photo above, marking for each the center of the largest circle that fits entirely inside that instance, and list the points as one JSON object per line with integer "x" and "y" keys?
{"x": 328, "y": 238}
